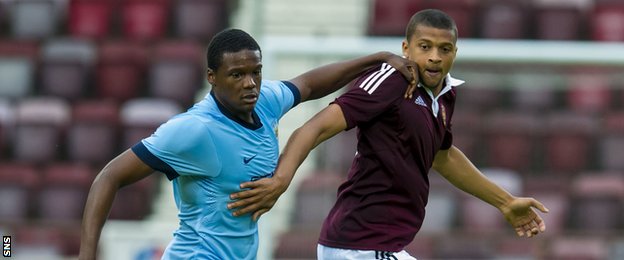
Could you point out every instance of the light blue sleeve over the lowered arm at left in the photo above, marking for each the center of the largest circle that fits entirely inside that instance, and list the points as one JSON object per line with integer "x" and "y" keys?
{"x": 185, "y": 144}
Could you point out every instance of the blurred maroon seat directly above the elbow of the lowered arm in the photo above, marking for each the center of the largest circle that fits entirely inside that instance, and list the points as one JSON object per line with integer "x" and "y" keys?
{"x": 94, "y": 132}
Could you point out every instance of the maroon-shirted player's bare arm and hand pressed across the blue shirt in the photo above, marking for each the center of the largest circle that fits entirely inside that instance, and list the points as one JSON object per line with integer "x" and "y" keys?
{"x": 263, "y": 193}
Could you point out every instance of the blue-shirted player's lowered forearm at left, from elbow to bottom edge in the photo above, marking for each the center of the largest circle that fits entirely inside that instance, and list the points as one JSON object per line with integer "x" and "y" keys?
{"x": 99, "y": 202}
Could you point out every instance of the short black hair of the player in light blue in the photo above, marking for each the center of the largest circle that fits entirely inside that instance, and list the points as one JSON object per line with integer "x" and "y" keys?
{"x": 229, "y": 40}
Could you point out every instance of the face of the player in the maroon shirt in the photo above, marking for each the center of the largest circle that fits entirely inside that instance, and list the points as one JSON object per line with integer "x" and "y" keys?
{"x": 434, "y": 51}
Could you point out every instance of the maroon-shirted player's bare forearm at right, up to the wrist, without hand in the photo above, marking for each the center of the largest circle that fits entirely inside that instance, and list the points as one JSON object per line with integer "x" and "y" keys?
{"x": 458, "y": 170}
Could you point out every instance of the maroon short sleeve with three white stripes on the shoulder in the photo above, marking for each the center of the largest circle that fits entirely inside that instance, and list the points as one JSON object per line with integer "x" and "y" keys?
{"x": 371, "y": 95}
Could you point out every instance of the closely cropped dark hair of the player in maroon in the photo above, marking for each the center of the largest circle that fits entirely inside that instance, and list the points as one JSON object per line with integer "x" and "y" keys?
{"x": 430, "y": 17}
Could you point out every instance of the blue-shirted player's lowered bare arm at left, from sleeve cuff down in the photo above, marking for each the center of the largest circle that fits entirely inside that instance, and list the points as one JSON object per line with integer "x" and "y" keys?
{"x": 125, "y": 169}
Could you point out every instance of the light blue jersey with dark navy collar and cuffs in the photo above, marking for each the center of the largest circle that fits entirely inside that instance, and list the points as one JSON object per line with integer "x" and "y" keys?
{"x": 208, "y": 153}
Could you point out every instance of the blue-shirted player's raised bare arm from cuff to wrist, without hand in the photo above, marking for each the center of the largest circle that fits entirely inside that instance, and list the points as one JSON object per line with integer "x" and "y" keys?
{"x": 327, "y": 79}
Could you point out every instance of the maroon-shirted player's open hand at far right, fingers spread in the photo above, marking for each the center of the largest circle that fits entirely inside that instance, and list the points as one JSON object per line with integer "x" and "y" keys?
{"x": 520, "y": 214}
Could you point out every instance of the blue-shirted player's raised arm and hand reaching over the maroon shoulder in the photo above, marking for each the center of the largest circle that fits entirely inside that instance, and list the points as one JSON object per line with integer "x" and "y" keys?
{"x": 326, "y": 79}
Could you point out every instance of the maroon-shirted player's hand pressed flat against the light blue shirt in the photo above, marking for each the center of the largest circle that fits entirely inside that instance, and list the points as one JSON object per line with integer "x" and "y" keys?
{"x": 259, "y": 197}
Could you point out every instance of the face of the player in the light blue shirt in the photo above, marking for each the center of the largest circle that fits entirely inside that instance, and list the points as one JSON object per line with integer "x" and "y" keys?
{"x": 236, "y": 83}
